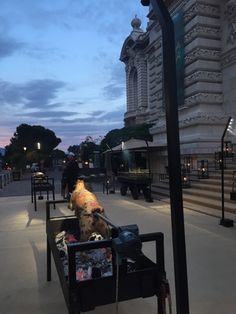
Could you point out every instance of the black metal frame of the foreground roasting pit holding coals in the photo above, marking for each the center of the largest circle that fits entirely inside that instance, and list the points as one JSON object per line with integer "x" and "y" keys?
{"x": 86, "y": 295}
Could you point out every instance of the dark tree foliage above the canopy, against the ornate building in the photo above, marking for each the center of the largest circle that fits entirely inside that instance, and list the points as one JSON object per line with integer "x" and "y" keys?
{"x": 116, "y": 136}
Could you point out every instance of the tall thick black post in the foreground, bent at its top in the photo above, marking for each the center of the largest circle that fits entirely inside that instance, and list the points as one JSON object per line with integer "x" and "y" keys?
{"x": 173, "y": 145}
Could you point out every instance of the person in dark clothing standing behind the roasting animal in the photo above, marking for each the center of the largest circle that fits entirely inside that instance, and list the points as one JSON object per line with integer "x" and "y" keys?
{"x": 69, "y": 175}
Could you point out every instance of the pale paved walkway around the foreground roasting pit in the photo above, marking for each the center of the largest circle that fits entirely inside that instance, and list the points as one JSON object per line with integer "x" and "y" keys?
{"x": 211, "y": 255}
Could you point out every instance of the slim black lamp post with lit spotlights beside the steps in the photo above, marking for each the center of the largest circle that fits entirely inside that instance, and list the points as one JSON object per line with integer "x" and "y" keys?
{"x": 224, "y": 222}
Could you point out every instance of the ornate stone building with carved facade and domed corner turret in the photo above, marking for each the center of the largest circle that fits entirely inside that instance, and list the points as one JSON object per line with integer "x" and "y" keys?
{"x": 205, "y": 32}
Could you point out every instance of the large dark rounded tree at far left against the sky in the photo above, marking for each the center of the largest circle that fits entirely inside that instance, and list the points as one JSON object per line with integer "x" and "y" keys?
{"x": 24, "y": 145}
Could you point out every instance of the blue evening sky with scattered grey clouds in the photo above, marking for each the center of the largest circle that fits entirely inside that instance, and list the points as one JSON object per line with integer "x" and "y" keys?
{"x": 60, "y": 65}
